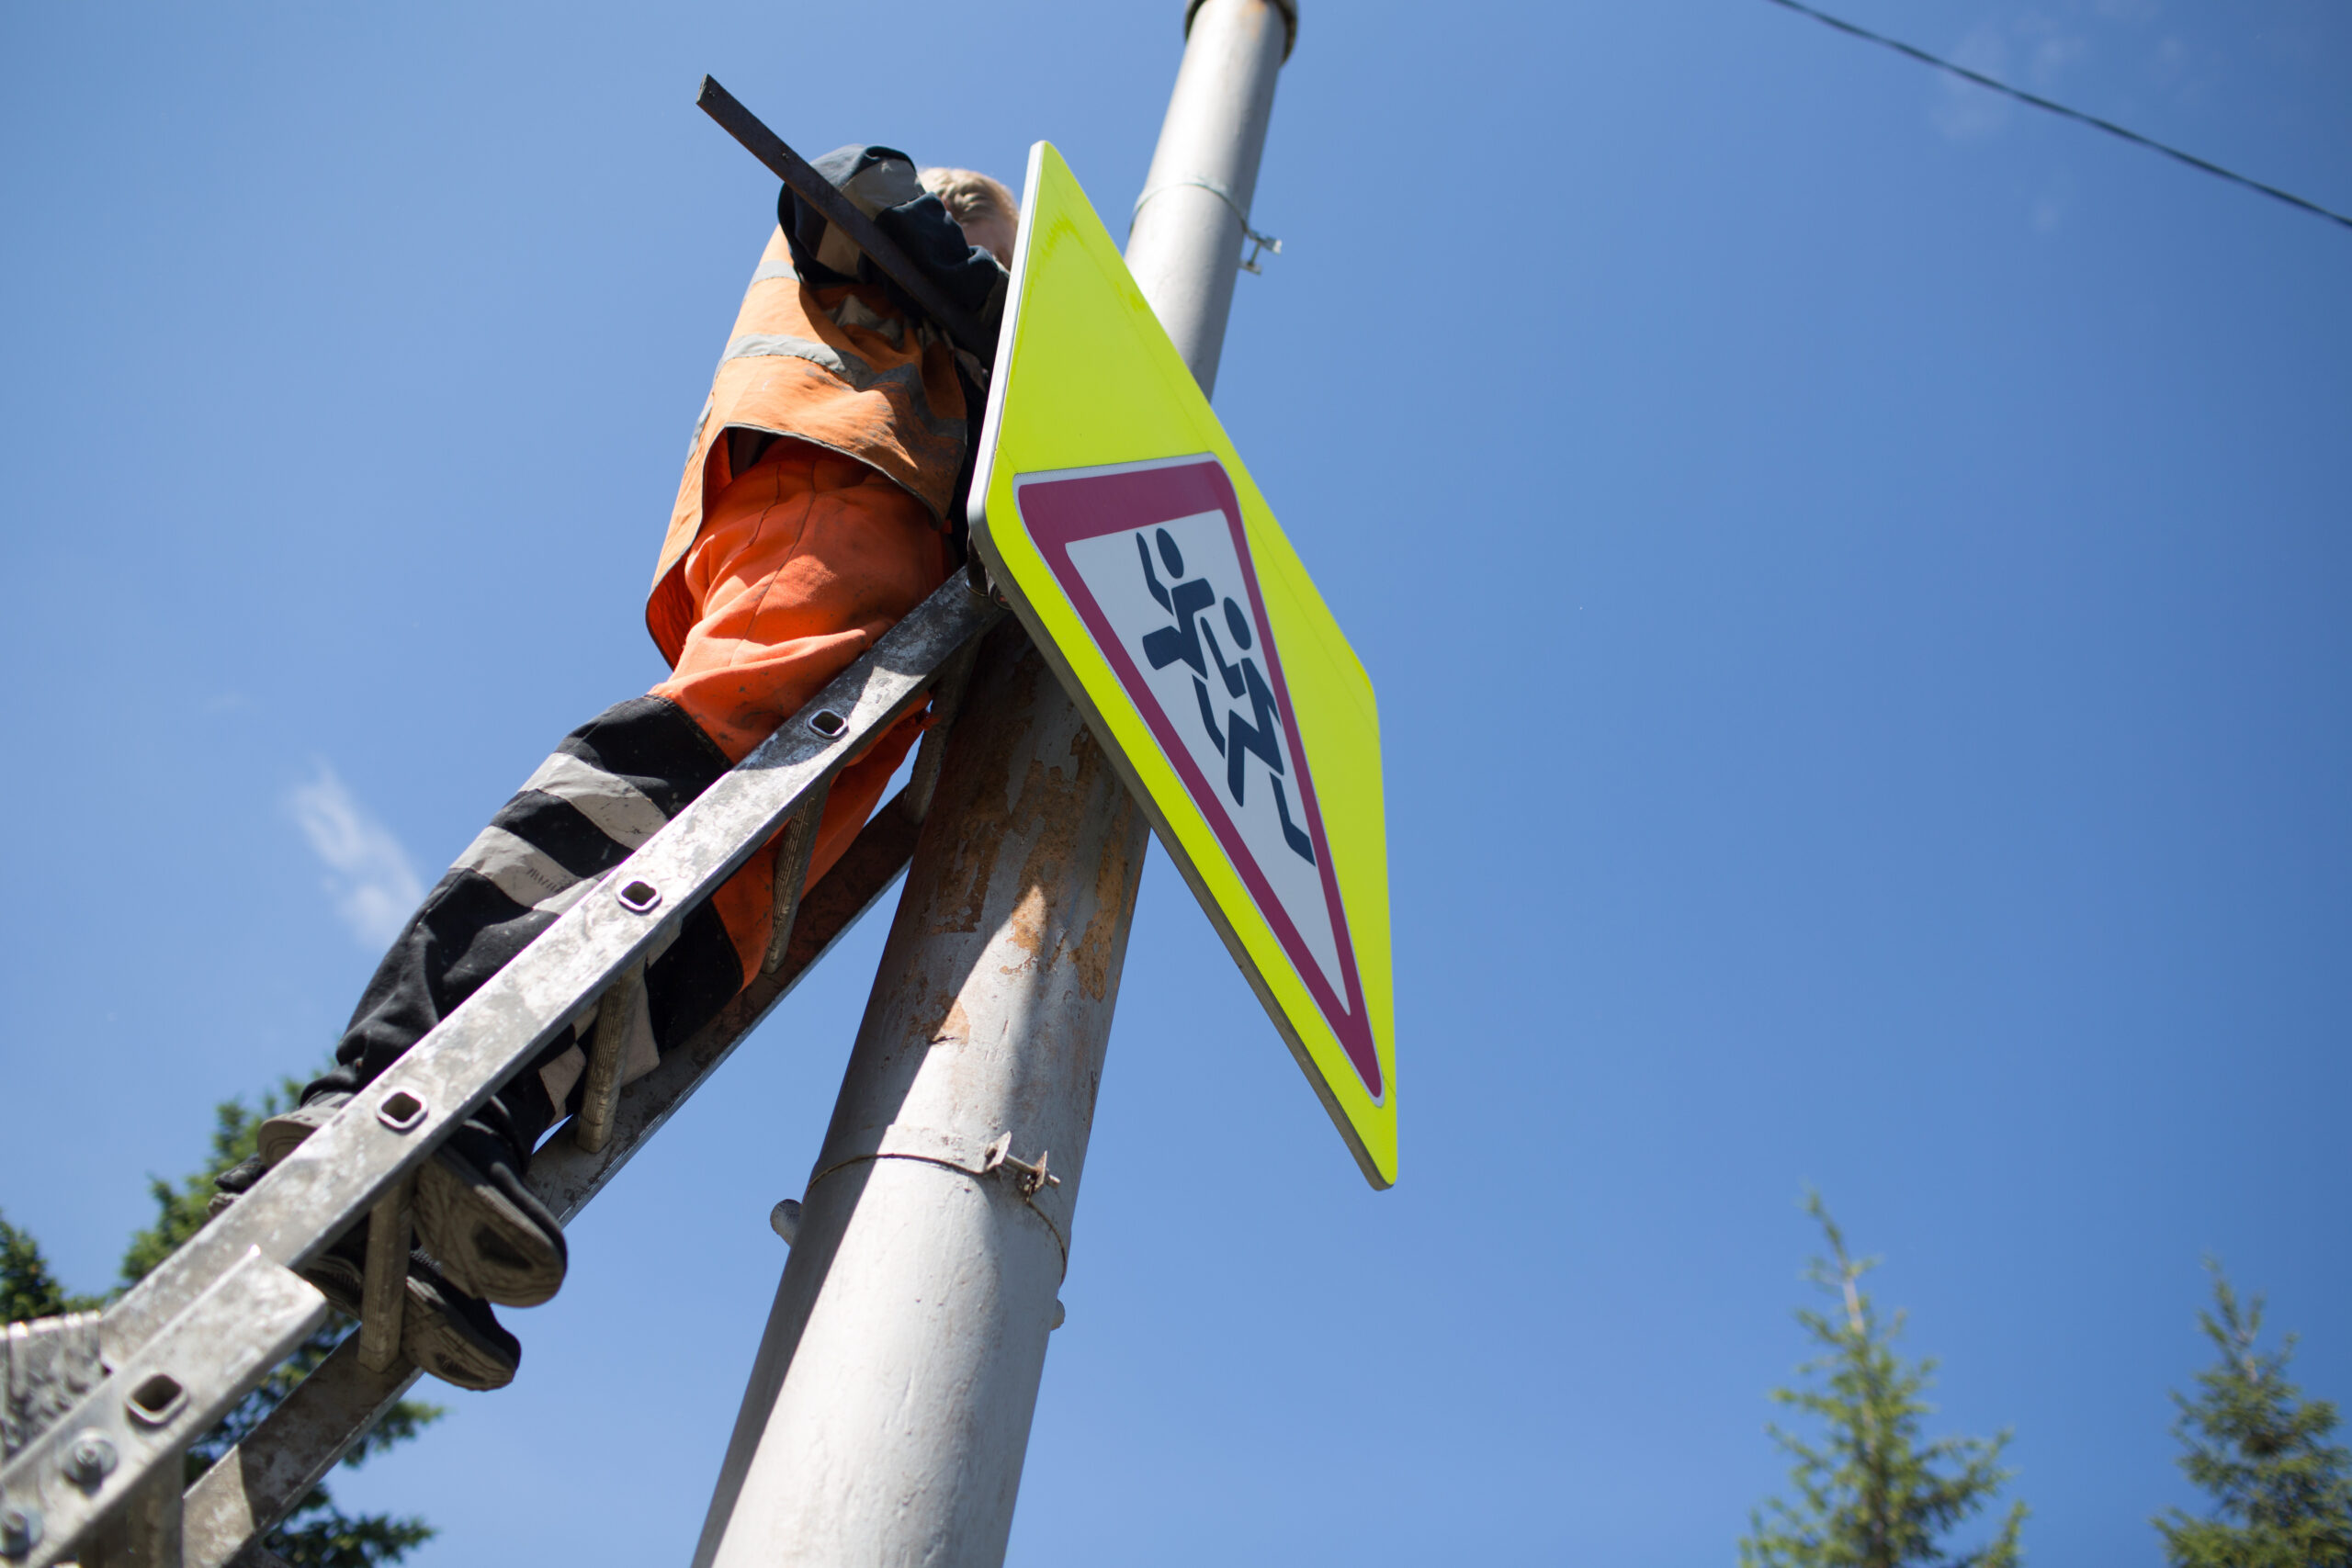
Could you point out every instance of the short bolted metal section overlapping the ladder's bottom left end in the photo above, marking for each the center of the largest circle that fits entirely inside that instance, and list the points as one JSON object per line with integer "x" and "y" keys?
{"x": 133, "y": 1428}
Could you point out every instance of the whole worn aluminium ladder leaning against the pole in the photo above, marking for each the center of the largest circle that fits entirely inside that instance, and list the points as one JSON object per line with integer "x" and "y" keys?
{"x": 102, "y": 1407}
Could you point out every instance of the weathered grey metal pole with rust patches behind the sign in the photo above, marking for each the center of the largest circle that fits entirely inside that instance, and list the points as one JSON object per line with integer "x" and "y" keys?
{"x": 893, "y": 1395}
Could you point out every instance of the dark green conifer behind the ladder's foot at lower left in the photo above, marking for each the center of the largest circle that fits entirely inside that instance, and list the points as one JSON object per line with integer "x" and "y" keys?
{"x": 319, "y": 1534}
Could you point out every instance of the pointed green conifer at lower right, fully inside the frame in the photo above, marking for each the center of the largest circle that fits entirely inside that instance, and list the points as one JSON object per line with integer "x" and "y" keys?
{"x": 1873, "y": 1496}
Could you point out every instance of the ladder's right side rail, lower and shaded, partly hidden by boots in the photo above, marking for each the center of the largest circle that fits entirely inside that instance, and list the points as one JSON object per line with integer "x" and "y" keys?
{"x": 255, "y": 1487}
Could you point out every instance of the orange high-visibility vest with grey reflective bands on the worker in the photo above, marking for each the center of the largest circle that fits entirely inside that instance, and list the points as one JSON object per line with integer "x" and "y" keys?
{"x": 838, "y": 368}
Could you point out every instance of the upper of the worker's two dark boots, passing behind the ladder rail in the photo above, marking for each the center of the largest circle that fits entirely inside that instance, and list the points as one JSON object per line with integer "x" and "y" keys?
{"x": 474, "y": 1212}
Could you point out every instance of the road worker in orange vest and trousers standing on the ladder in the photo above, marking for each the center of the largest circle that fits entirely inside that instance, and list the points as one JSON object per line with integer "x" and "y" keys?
{"x": 820, "y": 504}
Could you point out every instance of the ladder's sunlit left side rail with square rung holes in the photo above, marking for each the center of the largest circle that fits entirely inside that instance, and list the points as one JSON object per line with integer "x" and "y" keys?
{"x": 387, "y": 1132}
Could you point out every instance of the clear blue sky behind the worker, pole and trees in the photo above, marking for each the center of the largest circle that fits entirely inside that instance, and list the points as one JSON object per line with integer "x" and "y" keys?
{"x": 1855, "y": 575}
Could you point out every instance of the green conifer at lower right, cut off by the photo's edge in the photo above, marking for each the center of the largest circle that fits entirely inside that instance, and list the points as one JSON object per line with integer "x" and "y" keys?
{"x": 2283, "y": 1494}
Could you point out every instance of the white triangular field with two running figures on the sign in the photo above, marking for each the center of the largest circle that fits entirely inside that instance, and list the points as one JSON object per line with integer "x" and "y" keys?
{"x": 1180, "y": 605}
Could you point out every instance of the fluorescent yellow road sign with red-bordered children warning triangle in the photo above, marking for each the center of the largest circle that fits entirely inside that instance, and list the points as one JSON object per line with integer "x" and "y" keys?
{"x": 1130, "y": 540}
